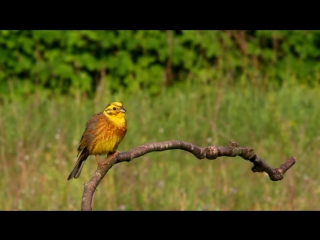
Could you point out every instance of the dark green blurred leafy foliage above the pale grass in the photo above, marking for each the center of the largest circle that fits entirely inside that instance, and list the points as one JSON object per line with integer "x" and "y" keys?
{"x": 77, "y": 61}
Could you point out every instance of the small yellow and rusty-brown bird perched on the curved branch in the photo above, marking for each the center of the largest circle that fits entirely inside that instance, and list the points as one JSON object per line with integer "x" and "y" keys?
{"x": 103, "y": 133}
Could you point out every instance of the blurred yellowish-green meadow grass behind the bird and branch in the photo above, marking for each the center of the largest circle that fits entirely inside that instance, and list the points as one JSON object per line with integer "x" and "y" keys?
{"x": 38, "y": 141}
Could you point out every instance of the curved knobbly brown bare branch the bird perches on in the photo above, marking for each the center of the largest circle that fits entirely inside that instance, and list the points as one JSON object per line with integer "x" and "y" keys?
{"x": 212, "y": 152}
